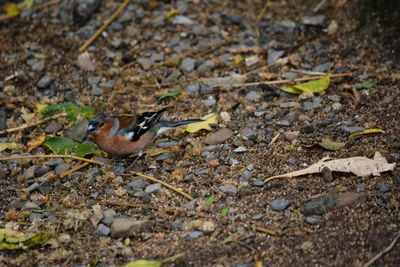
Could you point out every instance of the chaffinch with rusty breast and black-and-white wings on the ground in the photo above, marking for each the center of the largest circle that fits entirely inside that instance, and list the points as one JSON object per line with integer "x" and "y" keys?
{"x": 125, "y": 135}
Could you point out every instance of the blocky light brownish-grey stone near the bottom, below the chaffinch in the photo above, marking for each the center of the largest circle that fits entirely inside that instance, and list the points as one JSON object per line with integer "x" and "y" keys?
{"x": 127, "y": 227}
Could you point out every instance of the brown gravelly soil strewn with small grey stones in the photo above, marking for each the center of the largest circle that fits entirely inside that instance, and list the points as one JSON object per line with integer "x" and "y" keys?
{"x": 156, "y": 46}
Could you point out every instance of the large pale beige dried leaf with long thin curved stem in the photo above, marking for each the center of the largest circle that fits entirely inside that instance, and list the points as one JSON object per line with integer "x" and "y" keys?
{"x": 360, "y": 166}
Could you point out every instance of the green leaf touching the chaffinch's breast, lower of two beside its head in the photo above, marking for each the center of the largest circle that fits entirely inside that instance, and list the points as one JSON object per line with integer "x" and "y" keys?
{"x": 66, "y": 146}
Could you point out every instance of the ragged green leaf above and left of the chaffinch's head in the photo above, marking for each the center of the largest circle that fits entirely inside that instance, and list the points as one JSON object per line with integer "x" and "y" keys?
{"x": 71, "y": 109}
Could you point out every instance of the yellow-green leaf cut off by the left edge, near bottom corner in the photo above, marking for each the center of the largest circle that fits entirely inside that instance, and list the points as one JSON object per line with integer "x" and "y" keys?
{"x": 10, "y": 239}
